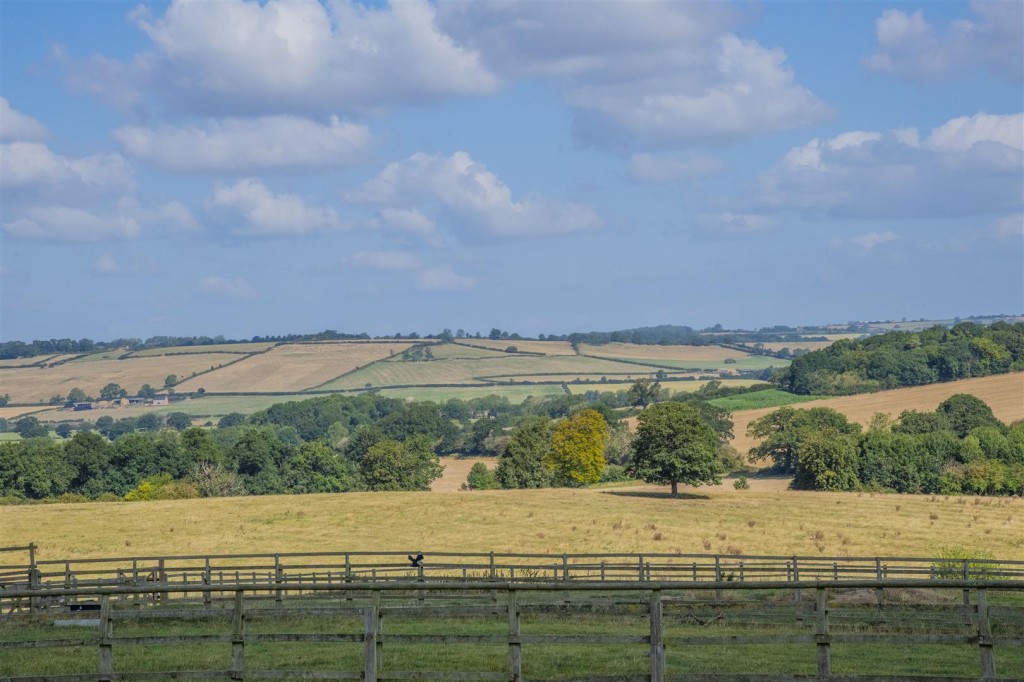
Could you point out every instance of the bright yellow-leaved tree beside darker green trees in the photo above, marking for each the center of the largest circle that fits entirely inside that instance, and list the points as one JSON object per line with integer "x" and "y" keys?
{"x": 577, "y": 455}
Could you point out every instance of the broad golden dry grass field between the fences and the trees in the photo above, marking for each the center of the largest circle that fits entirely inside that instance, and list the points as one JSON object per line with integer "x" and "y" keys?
{"x": 767, "y": 522}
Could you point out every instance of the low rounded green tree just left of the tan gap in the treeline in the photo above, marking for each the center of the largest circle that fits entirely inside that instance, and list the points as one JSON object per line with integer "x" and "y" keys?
{"x": 391, "y": 465}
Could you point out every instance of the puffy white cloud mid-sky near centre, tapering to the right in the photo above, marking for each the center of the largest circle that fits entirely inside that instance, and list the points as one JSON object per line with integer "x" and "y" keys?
{"x": 473, "y": 199}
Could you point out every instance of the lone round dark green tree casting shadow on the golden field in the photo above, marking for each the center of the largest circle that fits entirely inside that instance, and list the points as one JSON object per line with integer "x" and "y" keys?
{"x": 675, "y": 446}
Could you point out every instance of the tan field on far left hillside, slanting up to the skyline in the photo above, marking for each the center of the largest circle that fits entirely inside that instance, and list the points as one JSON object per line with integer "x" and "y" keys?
{"x": 293, "y": 367}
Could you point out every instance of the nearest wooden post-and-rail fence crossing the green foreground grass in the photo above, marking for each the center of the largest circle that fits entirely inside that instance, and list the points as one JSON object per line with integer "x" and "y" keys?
{"x": 373, "y": 604}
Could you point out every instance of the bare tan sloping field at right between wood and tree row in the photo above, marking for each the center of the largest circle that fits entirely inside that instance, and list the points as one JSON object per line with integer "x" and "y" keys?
{"x": 1004, "y": 394}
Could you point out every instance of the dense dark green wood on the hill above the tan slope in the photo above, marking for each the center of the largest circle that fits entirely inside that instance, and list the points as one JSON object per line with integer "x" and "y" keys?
{"x": 907, "y": 359}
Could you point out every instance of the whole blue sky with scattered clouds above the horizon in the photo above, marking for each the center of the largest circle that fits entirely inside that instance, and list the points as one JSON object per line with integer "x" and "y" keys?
{"x": 247, "y": 168}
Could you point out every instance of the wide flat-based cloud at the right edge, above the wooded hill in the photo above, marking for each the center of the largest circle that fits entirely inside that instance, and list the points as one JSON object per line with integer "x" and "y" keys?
{"x": 968, "y": 166}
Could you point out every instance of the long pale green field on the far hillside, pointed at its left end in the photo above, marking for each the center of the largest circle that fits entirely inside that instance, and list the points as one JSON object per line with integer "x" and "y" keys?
{"x": 397, "y": 373}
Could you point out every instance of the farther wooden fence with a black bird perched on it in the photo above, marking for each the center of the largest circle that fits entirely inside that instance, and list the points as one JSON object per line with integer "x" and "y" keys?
{"x": 342, "y": 568}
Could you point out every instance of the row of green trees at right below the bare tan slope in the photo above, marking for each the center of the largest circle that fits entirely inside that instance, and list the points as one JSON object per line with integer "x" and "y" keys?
{"x": 961, "y": 448}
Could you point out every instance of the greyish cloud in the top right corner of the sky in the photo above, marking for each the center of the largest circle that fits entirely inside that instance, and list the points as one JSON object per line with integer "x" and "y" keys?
{"x": 912, "y": 49}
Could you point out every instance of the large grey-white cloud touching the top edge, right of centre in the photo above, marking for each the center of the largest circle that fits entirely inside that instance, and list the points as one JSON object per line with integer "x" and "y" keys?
{"x": 642, "y": 74}
